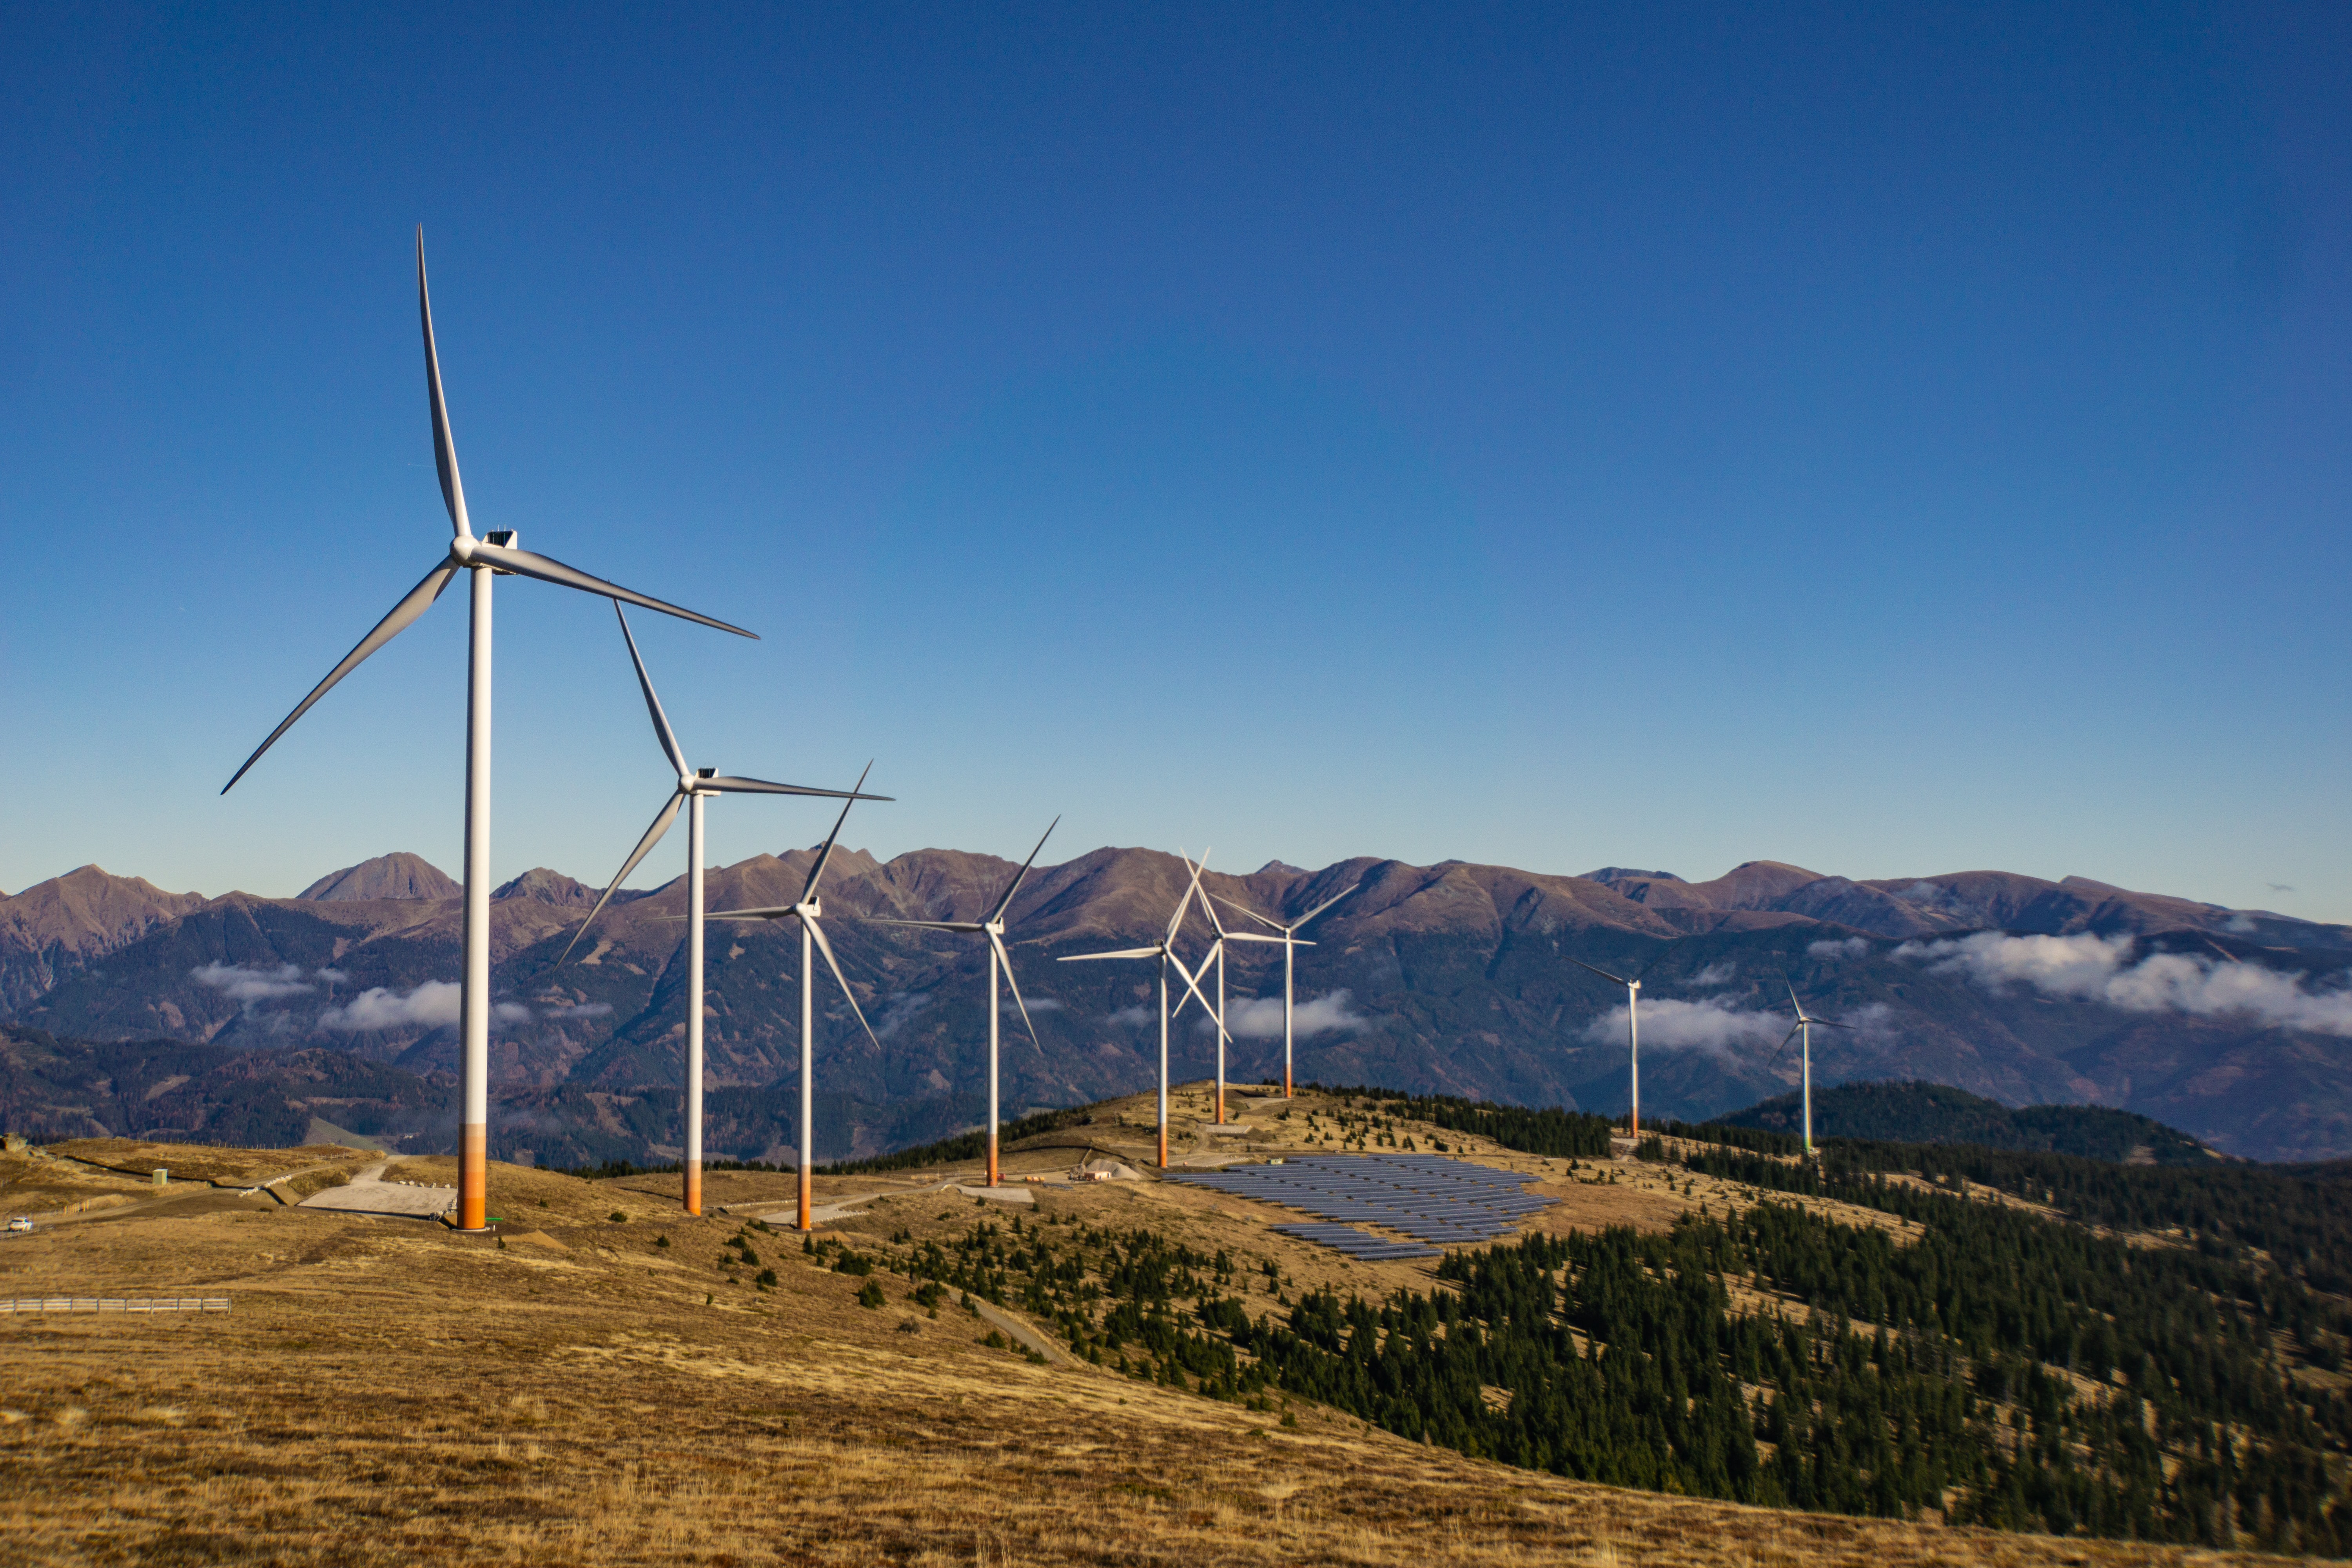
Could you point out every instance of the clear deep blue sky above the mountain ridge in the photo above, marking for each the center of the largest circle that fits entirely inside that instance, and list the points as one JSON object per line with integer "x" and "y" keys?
{"x": 1883, "y": 438}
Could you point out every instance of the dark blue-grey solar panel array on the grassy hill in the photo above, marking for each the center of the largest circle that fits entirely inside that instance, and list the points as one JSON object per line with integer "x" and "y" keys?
{"x": 1443, "y": 1202}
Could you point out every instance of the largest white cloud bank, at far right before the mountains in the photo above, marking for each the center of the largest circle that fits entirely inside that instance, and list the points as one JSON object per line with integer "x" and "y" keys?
{"x": 2102, "y": 970}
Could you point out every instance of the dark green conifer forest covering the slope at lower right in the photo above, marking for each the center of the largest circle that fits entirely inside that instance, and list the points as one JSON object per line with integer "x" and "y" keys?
{"x": 1972, "y": 1360}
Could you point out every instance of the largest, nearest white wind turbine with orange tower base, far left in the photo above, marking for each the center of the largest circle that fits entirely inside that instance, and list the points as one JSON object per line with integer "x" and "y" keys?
{"x": 483, "y": 558}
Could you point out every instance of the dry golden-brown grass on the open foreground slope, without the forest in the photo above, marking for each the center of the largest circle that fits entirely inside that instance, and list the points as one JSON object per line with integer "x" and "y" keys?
{"x": 389, "y": 1393}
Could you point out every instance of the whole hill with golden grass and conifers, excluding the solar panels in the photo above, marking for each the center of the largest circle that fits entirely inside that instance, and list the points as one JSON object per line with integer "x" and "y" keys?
{"x": 1144, "y": 1372}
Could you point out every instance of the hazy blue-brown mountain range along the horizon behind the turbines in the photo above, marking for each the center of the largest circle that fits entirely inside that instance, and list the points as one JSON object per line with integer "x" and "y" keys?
{"x": 1450, "y": 979}
